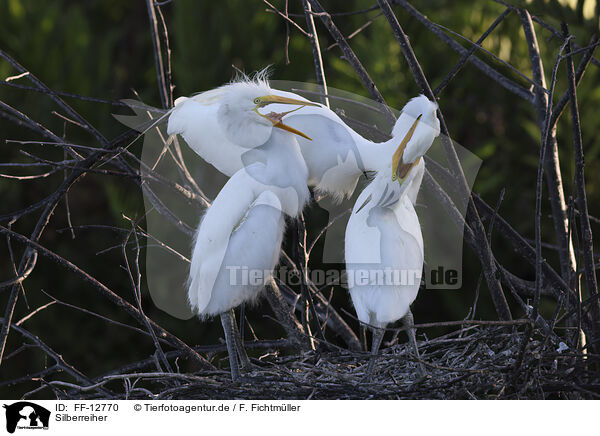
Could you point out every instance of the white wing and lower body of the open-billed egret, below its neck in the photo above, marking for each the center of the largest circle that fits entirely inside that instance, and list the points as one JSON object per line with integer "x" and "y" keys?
{"x": 221, "y": 251}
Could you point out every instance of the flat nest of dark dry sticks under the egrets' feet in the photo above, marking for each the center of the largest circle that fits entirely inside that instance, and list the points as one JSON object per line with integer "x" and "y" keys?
{"x": 473, "y": 362}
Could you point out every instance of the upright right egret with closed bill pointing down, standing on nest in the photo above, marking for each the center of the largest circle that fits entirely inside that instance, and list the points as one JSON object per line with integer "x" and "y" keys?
{"x": 384, "y": 244}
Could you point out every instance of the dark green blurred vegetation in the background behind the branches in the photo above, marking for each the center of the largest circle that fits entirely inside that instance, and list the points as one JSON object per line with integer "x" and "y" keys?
{"x": 104, "y": 49}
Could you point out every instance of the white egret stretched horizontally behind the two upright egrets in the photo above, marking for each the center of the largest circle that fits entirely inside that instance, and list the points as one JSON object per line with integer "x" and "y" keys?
{"x": 336, "y": 156}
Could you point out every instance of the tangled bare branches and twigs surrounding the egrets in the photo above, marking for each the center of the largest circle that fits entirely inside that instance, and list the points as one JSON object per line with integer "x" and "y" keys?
{"x": 531, "y": 356}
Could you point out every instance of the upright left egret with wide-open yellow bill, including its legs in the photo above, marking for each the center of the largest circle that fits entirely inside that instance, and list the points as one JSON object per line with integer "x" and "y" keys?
{"x": 238, "y": 241}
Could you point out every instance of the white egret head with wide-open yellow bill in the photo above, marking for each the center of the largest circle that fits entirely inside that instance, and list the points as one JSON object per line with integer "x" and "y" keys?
{"x": 243, "y": 117}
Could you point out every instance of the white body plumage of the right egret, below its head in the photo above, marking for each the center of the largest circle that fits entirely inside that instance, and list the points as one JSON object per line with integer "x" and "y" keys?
{"x": 385, "y": 237}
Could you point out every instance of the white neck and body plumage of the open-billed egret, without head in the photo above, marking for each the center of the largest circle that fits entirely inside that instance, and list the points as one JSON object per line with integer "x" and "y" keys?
{"x": 243, "y": 228}
